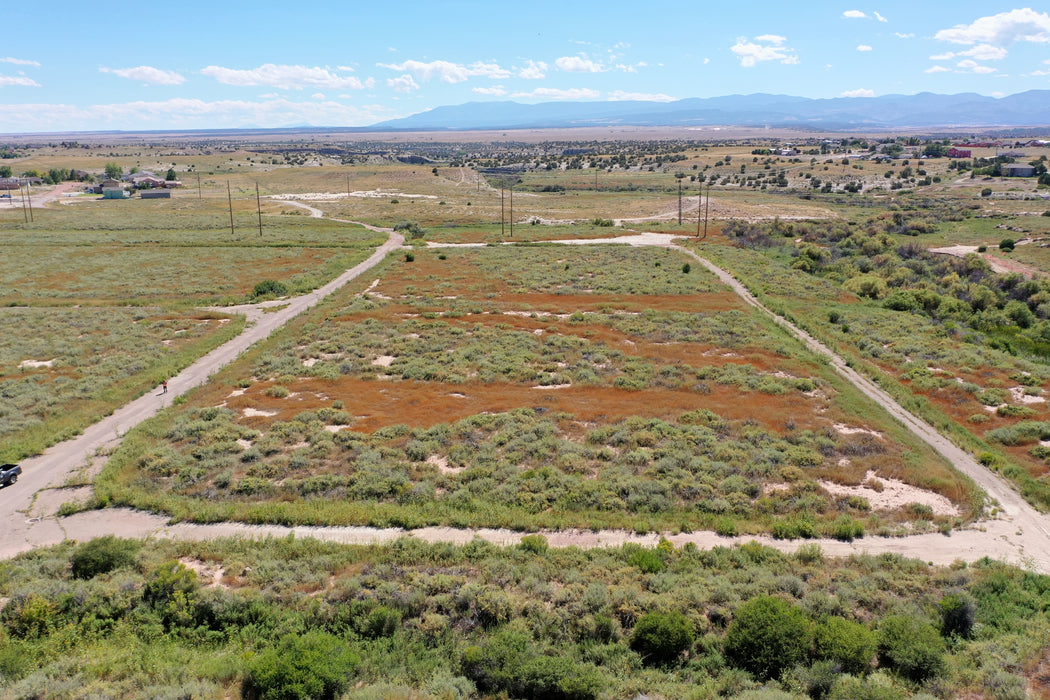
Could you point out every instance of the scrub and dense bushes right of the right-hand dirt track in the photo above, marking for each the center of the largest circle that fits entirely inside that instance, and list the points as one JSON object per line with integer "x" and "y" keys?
{"x": 964, "y": 346}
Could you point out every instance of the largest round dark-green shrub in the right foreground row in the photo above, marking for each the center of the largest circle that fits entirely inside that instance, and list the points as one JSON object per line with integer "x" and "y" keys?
{"x": 767, "y": 638}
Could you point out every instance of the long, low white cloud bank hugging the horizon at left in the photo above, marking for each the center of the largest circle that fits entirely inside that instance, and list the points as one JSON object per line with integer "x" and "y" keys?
{"x": 185, "y": 114}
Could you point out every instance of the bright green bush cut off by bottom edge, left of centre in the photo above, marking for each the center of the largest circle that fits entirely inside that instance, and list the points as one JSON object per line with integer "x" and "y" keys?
{"x": 316, "y": 666}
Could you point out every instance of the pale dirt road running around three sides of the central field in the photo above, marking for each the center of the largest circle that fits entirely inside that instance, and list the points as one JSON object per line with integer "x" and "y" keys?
{"x": 1018, "y": 534}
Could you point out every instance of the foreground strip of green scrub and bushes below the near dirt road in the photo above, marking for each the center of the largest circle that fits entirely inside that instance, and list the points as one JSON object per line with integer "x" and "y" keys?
{"x": 299, "y": 619}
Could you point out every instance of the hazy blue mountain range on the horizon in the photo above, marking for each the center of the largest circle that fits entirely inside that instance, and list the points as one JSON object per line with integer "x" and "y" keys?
{"x": 923, "y": 111}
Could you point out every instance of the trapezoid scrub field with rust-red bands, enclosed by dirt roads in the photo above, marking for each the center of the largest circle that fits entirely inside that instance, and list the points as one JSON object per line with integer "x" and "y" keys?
{"x": 533, "y": 388}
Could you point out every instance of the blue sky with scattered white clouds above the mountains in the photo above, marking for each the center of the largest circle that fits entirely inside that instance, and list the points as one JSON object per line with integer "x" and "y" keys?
{"x": 81, "y": 67}
